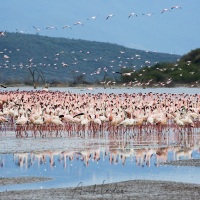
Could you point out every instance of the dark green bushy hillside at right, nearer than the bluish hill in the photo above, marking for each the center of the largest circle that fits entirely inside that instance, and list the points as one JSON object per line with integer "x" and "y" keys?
{"x": 184, "y": 71}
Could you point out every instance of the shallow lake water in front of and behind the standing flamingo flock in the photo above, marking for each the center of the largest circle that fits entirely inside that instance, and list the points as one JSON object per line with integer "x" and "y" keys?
{"x": 94, "y": 160}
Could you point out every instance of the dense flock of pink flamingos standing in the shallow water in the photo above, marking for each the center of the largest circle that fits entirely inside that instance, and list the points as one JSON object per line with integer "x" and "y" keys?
{"x": 52, "y": 113}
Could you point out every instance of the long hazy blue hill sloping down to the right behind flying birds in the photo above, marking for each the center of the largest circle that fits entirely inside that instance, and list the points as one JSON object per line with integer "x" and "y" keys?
{"x": 60, "y": 60}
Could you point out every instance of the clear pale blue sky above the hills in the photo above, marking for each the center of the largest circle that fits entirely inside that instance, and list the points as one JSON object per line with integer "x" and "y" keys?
{"x": 175, "y": 31}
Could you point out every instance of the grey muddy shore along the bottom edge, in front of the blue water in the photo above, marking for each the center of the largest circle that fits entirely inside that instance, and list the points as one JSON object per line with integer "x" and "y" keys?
{"x": 133, "y": 189}
